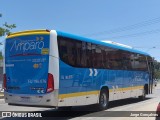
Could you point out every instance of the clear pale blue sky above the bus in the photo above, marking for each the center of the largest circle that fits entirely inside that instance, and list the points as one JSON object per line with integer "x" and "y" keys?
{"x": 132, "y": 22}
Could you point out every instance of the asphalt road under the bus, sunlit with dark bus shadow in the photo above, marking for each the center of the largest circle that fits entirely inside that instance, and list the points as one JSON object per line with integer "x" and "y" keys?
{"x": 119, "y": 108}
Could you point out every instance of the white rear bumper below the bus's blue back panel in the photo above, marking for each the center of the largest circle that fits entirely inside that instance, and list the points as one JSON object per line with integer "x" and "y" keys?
{"x": 48, "y": 99}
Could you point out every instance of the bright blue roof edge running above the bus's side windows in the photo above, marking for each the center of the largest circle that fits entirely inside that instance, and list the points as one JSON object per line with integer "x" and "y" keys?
{"x": 109, "y": 44}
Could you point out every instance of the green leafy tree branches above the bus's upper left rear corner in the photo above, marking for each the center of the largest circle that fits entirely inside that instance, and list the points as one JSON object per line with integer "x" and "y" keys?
{"x": 5, "y": 29}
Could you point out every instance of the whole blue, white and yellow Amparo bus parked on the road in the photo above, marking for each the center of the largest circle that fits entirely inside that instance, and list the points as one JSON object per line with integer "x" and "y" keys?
{"x": 53, "y": 68}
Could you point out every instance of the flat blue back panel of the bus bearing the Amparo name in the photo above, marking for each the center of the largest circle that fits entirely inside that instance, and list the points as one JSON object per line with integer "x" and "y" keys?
{"x": 26, "y": 62}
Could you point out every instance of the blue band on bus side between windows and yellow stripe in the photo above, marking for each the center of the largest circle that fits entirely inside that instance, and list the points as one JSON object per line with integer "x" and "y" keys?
{"x": 74, "y": 80}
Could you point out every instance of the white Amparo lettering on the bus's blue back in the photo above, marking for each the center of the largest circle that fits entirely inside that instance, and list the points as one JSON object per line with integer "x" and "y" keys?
{"x": 27, "y": 45}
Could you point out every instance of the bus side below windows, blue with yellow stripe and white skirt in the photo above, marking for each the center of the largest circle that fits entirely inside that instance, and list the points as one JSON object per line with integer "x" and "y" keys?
{"x": 80, "y": 86}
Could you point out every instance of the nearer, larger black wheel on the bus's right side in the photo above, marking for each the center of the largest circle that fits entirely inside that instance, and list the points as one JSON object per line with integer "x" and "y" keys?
{"x": 103, "y": 100}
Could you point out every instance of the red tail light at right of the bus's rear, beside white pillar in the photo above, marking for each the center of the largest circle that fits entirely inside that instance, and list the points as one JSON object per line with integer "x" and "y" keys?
{"x": 50, "y": 84}
